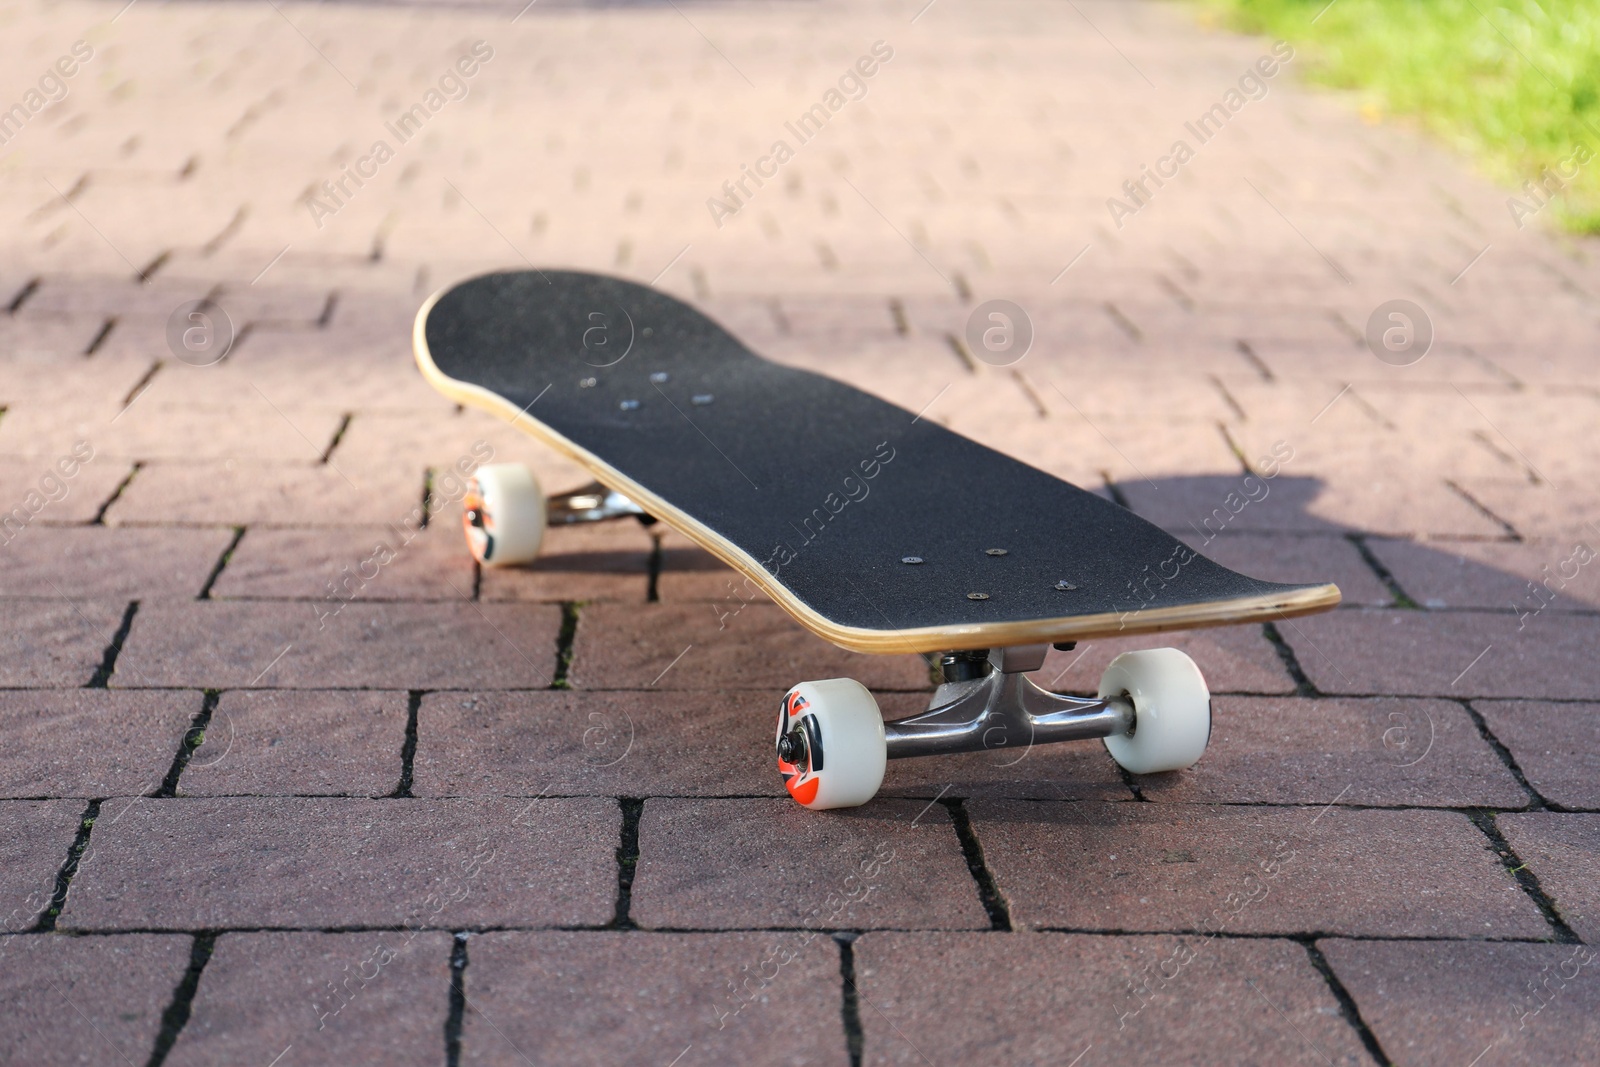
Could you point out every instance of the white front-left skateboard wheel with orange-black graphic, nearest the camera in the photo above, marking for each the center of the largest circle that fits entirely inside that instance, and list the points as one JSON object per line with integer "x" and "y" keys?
{"x": 831, "y": 748}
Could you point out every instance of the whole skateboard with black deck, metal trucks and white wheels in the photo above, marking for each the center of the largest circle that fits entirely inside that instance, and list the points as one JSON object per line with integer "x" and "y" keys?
{"x": 876, "y": 529}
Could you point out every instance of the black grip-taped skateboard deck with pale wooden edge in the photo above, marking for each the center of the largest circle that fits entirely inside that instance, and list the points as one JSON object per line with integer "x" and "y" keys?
{"x": 878, "y": 530}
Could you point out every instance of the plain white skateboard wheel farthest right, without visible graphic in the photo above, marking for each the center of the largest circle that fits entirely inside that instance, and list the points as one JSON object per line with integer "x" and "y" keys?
{"x": 1172, "y": 711}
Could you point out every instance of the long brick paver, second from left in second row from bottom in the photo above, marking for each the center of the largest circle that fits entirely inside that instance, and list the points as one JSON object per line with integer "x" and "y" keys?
{"x": 425, "y": 863}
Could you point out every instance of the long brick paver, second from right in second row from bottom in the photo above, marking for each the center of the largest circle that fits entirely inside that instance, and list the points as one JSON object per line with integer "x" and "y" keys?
{"x": 1250, "y": 871}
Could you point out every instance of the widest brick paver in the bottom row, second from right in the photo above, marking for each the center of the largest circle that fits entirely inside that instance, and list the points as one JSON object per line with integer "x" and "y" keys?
{"x": 1116, "y": 1001}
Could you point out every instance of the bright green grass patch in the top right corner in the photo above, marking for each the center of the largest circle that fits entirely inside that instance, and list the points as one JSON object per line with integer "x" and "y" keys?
{"x": 1514, "y": 84}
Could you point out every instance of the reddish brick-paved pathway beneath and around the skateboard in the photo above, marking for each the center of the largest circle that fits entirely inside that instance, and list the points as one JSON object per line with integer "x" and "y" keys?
{"x": 287, "y": 781}
